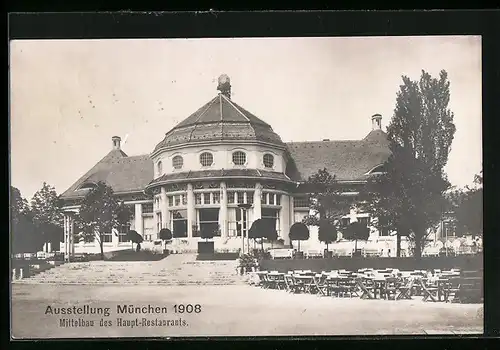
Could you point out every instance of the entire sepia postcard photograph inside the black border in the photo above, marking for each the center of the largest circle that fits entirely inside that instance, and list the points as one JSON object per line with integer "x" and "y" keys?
{"x": 302, "y": 186}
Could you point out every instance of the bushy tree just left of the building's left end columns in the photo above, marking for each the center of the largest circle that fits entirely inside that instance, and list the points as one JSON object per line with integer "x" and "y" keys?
{"x": 47, "y": 214}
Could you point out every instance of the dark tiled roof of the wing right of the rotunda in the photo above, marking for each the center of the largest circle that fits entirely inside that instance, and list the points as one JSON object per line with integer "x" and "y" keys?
{"x": 347, "y": 160}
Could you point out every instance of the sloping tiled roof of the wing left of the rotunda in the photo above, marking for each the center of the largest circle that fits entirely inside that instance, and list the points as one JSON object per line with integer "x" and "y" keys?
{"x": 122, "y": 173}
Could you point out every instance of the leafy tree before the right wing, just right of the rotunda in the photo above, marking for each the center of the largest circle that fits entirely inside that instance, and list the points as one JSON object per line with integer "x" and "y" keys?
{"x": 327, "y": 201}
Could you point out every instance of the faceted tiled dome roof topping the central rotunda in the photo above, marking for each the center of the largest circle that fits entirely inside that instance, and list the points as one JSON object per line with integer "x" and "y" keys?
{"x": 220, "y": 120}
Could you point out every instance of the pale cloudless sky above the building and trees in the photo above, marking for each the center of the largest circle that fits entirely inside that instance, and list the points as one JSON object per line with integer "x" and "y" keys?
{"x": 69, "y": 97}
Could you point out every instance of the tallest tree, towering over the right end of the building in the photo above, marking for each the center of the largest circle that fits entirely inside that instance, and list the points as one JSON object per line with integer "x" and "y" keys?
{"x": 411, "y": 193}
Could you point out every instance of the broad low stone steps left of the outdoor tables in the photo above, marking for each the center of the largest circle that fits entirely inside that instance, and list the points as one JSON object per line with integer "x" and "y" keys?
{"x": 174, "y": 270}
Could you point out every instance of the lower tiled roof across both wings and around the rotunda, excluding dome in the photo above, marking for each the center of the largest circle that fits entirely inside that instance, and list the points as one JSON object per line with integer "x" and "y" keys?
{"x": 348, "y": 160}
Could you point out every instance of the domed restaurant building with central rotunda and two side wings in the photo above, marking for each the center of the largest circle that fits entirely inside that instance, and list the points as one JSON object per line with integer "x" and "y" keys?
{"x": 215, "y": 160}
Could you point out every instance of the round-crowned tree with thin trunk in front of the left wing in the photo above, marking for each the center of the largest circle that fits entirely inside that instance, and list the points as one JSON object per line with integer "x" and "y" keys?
{"x": 100, "y": 212}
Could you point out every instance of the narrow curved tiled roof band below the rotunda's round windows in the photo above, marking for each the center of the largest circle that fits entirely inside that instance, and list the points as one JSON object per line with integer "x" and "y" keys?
{"x": 222, "y": 173}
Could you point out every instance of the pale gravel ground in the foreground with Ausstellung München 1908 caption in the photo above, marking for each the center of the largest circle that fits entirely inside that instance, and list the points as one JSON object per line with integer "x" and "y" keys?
{"x": 231, "y": 311}
